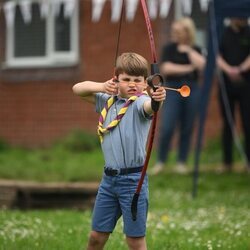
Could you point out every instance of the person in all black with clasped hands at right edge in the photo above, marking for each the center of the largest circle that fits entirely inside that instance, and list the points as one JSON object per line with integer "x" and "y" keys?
{"x": 234, "y": 61}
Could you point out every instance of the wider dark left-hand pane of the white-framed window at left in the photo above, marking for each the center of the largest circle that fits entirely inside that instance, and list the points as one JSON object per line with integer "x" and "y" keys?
{"x": 30, "y": 38}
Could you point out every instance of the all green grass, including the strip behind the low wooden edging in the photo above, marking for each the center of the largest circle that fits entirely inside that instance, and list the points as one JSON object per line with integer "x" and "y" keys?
{"x": 218, "y": 218}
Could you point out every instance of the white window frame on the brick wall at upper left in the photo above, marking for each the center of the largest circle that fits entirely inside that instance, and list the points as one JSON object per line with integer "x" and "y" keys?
{"x": 52, "y": 57}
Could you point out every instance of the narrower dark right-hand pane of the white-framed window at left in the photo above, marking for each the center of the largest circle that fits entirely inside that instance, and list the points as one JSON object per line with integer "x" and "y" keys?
{"x": 62, "y": 31}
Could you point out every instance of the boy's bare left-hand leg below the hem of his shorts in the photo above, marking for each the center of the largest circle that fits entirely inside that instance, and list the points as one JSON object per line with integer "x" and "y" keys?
{"x": 97, "y": 240}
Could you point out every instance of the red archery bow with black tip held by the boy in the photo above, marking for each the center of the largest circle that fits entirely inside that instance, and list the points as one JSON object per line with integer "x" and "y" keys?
{"x": 155, "y": 107}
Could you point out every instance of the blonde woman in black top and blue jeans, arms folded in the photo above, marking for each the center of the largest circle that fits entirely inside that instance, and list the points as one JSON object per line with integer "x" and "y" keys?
{"x": 181, "y": 63}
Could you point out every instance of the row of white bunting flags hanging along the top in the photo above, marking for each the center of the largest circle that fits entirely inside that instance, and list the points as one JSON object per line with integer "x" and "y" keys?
{"x": 157, "y": 8}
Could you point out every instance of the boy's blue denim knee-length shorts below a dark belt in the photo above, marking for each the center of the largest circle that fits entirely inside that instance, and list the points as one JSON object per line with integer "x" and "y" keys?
{"x": 114, "y": 199}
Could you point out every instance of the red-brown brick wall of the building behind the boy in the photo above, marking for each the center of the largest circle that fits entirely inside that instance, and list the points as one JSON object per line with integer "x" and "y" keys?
{"x": 38, "y": 106}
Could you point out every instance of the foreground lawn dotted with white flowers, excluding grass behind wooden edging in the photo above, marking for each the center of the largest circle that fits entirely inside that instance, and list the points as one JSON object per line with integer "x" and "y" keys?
{"x": 217, "y": 219}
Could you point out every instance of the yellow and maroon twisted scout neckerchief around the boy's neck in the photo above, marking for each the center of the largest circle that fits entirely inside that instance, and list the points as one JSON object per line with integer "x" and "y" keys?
{"x": 101, "y": 130}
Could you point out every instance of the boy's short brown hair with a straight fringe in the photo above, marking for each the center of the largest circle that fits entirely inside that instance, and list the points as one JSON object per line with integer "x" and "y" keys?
{"x": 132, "y": 64}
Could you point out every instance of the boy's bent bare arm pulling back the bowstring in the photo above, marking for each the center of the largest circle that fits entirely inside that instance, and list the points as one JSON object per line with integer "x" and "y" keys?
{"x": 88, "y": 89}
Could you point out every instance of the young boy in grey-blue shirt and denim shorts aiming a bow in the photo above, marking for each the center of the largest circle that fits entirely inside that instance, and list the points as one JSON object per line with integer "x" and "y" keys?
{"x": 123, "y": 129}
